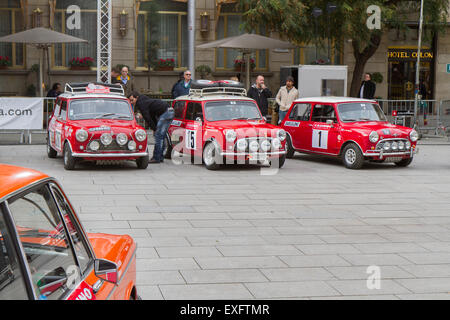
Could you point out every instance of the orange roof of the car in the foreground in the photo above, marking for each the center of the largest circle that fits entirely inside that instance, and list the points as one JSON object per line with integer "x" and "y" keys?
{"x": 13, "y": 178}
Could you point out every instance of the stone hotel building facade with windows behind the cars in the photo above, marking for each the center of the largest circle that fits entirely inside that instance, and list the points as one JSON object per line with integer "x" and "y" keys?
{"x": 148, "y": 31}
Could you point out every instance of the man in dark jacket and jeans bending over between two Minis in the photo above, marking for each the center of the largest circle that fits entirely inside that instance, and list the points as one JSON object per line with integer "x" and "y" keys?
{"x": 159, "y": 116}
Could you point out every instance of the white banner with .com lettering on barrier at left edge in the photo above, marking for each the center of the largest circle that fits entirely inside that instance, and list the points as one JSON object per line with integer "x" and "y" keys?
{"x": 21, "y": 113}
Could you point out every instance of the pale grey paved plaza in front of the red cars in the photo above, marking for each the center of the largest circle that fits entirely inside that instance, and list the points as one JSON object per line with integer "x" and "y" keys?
{"x": 312, "y": 231}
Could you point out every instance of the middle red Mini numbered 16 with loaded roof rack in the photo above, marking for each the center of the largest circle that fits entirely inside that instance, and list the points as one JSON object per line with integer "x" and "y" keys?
{"x": 217, "y": 123}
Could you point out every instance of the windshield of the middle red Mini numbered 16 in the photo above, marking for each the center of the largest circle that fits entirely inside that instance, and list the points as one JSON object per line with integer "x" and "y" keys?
{"x": 232, "y": 110}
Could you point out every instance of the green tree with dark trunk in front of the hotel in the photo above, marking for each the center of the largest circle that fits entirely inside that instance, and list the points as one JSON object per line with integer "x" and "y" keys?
{"x": 295, "y": 21}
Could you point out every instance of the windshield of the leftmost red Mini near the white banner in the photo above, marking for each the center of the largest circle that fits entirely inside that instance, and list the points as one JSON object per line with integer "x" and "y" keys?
{"x": 100, "y": 109}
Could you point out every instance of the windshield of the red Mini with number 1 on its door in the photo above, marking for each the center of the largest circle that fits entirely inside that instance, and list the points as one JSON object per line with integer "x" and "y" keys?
{"x": 360, "y": 111}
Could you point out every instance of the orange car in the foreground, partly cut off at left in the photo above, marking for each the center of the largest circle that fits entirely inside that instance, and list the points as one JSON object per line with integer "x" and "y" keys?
{"x": 45, "y": 252}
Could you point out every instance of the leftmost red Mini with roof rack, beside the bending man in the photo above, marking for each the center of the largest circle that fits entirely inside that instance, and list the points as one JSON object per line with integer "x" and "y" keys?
{"x": 95, "y": 122}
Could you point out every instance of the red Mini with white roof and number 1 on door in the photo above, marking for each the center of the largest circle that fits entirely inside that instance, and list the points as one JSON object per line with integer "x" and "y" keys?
{"x": 353, "y": 129}
